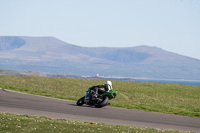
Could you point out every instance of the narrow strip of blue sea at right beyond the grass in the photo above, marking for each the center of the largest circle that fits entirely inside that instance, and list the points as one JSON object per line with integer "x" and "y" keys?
{"x": 184, "y": 82}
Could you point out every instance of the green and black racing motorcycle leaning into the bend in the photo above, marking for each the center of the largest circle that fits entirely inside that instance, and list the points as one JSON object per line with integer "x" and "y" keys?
{"x": 98, "y": 100}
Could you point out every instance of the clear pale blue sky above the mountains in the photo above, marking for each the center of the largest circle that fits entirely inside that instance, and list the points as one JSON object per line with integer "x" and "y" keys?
{"x": 173, "y": 25}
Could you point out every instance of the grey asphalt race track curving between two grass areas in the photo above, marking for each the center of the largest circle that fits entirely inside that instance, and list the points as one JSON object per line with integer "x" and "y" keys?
{"x": 20, "y": 103}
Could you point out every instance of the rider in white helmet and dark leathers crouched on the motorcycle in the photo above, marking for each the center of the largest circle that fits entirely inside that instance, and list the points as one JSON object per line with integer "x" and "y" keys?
{"x": 97, "y": 89}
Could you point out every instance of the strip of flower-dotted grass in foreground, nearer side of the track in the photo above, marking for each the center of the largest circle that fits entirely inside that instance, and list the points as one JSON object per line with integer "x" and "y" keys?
{"x": 11, "y": 123}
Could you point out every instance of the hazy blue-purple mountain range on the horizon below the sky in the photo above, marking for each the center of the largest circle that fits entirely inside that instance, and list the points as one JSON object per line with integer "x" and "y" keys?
{"x": 51, "y": 55}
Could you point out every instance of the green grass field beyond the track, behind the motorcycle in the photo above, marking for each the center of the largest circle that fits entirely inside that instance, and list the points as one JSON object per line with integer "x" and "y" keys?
{"x": 154, "y": 97}
